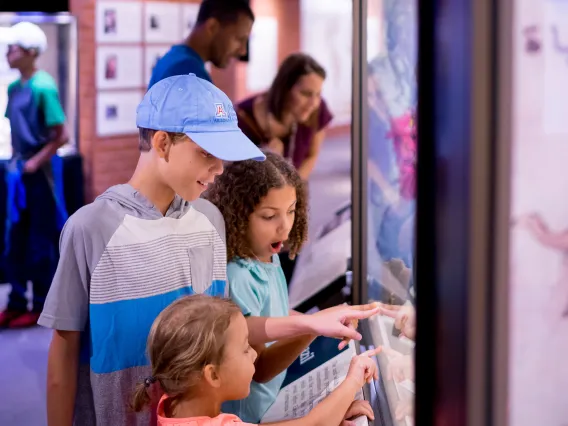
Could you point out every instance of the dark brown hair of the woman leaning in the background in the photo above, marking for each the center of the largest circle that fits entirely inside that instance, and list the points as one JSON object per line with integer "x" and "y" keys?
{"x": 291, "y": 70}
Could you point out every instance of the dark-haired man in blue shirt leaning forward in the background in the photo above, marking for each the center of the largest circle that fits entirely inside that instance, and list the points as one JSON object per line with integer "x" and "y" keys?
{"x": 220, "y": 34}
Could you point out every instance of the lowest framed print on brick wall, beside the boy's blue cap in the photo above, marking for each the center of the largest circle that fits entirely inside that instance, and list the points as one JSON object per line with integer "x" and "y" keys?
{"x": 116, "y": 112}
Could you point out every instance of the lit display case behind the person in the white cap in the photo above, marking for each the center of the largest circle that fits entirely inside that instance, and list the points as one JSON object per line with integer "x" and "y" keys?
{"x": 59, "y": 60}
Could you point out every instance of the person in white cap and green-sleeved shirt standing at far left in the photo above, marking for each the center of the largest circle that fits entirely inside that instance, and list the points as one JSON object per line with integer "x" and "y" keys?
{"x": 34, "y": 216}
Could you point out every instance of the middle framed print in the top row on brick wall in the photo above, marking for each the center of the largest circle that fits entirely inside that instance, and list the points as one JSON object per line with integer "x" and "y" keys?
{"x": 162, "y": 22}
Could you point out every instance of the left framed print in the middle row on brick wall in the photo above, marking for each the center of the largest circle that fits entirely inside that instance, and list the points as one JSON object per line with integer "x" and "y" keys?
{"x": 119, "y": 67}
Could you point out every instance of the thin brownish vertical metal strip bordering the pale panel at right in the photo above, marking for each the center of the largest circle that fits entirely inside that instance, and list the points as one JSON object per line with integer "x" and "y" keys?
{"x": 499, "y": 352}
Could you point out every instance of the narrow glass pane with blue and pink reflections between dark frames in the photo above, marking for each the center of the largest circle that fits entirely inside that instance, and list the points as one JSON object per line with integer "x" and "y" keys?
{"x": 392, "y": 47}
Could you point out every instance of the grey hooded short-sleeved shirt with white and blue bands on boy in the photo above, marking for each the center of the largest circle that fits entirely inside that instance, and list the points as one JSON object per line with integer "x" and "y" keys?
{"x": 122, "y": 262}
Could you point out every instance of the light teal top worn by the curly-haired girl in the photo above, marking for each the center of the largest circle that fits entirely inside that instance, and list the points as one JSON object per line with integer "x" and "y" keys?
{"x": 260, "y": 290}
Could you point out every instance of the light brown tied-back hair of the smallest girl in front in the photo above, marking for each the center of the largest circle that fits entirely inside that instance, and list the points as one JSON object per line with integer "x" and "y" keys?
{"x": 186, "y": 336}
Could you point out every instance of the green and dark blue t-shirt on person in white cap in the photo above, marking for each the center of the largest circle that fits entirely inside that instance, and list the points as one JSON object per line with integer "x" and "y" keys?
{"x": 33, "y": 107}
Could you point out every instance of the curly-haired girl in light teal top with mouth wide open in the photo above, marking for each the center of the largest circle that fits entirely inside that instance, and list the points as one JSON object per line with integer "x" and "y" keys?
{"x": 264, "y": 205}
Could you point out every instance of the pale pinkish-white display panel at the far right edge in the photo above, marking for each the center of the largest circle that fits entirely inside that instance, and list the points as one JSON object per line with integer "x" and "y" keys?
{"x": 538, "y": 265}
